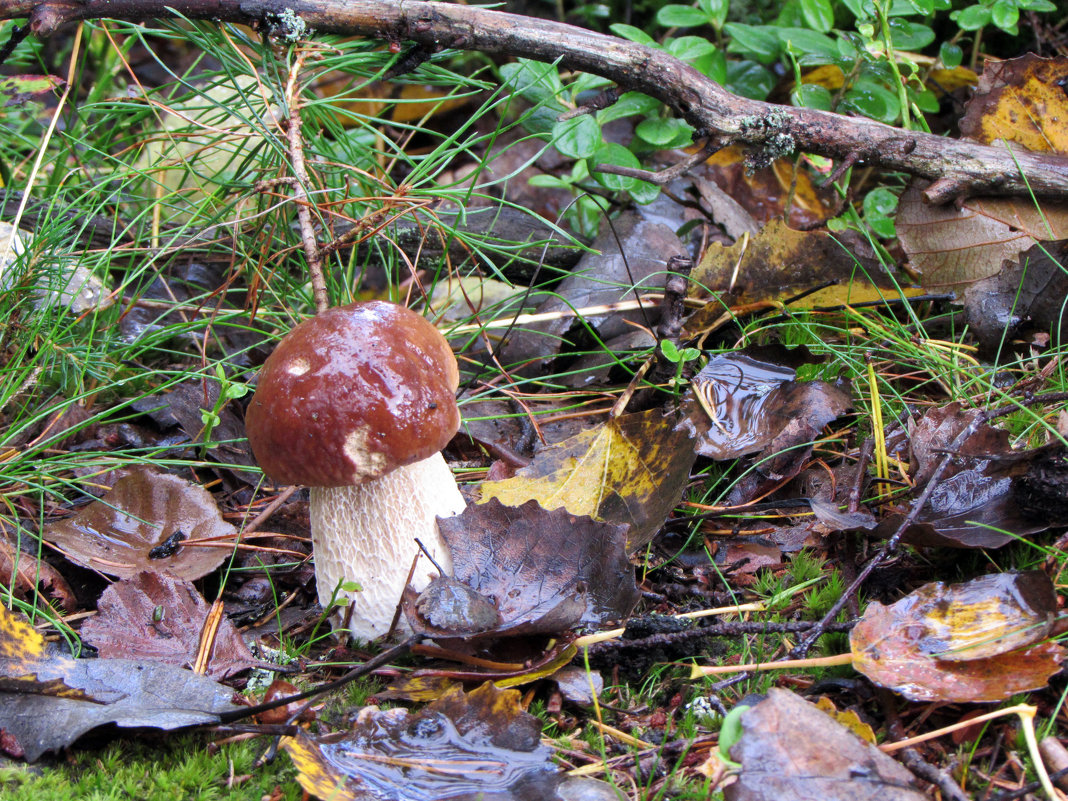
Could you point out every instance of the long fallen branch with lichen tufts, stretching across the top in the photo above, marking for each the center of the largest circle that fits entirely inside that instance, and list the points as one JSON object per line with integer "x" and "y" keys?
{"x": 957, "y": 168}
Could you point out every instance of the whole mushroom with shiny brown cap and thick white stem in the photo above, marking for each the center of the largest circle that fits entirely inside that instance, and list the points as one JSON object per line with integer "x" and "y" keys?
{"x": 357, "y": 403}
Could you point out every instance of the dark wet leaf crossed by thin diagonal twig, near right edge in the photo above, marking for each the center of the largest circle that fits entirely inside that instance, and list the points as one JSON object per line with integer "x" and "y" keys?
{"x": 977, "y": 502}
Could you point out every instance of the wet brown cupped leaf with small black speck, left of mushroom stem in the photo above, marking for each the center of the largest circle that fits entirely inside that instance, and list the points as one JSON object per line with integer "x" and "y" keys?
{"x": 142, "y": 525}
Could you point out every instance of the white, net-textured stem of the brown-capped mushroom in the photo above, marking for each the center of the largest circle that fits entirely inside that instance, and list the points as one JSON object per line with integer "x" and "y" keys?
{"x": 367, "y": 535}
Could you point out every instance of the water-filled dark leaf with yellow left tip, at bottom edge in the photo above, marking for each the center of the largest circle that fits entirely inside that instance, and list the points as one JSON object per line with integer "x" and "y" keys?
{"x": 464, "y": 746}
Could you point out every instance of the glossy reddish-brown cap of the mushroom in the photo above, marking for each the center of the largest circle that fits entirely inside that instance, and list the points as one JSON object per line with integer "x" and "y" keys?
{"x": 353, "y": 394}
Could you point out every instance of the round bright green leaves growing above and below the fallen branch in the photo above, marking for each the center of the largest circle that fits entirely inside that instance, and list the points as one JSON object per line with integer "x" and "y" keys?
{"x": 870, "y": 46}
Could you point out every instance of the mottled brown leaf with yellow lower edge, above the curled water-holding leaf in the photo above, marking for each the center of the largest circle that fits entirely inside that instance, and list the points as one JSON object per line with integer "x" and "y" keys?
{"x": 780, "y": 263}
